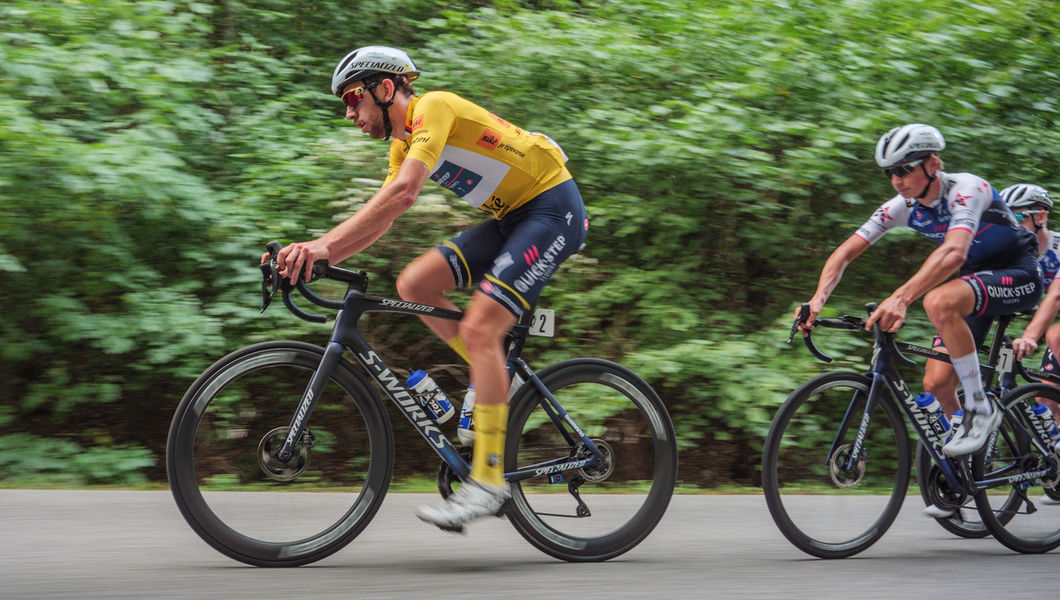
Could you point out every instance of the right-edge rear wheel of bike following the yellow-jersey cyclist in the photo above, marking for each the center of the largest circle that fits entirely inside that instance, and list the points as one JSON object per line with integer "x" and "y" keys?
{"x": 1016, "y": 513}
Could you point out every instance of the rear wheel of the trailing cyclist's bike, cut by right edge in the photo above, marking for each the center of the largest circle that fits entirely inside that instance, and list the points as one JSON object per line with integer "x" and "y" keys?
{"x": 1037, "y": 528}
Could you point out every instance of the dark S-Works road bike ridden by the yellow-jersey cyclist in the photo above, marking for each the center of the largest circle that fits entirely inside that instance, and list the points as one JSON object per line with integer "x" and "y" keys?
{"x": 281, "y": 453}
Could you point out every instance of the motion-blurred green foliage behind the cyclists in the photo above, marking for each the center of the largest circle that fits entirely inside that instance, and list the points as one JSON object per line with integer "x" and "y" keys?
{"x": 149, "y": 150}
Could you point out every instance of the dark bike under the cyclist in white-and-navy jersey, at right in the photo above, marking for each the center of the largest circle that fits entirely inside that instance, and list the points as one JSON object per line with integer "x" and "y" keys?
{"x": 837, "y": 462}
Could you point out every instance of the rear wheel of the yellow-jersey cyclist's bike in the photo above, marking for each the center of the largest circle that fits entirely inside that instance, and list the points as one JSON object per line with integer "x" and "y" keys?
{"x": 625, "y": 416}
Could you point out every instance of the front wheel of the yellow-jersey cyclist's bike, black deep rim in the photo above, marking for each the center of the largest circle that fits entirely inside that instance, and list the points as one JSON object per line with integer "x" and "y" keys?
{"x": 226, "y": 485}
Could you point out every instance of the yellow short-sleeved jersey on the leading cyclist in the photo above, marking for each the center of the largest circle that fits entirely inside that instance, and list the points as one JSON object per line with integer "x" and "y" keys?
{"x": 492, "y": 165}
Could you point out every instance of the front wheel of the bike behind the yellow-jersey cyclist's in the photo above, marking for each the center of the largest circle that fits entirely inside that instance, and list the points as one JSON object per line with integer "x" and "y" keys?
{"x": 809, "y": 498}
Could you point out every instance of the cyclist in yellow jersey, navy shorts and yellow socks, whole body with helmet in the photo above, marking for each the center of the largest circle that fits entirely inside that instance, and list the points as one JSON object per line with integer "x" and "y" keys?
{"x": 539, "y": 221}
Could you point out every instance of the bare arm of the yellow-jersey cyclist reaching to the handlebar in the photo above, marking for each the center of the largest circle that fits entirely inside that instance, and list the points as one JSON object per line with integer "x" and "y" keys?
{"x": 364, "y": 227}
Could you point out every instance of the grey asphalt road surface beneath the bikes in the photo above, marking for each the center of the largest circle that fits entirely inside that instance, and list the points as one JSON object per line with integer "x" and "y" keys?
{"x": 115, "y": 545}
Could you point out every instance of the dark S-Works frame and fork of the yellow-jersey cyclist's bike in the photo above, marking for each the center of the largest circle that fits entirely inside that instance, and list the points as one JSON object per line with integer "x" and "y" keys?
{"x": 346, "y": 336}
